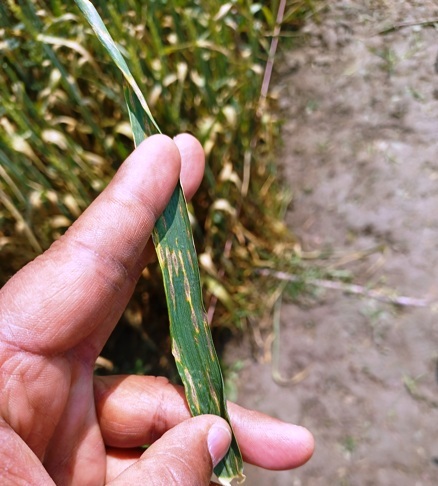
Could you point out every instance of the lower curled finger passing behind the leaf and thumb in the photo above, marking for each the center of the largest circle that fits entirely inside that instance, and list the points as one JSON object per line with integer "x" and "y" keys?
{"x": 135, "y": 410}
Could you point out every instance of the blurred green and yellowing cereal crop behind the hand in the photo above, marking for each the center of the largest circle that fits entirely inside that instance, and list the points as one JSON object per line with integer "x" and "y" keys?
{"x": 64, "y": 131}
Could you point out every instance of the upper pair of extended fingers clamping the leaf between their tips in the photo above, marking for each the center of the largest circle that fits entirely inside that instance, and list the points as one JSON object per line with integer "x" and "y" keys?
{"x": 85, "y": 279}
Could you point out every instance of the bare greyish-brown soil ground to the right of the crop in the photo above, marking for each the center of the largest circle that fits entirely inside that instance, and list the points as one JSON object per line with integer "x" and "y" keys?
{"x": 361, "y": 157}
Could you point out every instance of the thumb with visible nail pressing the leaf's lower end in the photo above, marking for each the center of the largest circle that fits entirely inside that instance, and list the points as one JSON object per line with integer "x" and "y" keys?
{"x": 186, "y": 454}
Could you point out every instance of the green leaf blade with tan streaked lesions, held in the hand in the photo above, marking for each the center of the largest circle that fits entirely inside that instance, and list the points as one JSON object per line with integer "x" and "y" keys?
{"x": 192, "y": 343}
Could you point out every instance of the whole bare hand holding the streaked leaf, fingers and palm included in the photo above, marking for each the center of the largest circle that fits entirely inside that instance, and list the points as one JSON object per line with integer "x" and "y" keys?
{"x": 59, "y": 424}
